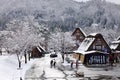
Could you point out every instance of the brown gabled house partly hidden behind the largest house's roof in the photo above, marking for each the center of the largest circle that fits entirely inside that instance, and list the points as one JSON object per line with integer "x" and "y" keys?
{"x": 78, "y": 36}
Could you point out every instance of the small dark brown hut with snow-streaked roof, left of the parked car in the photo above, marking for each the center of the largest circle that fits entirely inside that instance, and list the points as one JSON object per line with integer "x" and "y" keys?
{"x": 37, "y": 52}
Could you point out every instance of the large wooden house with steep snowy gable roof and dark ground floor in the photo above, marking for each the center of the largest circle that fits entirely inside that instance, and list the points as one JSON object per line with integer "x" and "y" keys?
{"x": 93, "y": 50}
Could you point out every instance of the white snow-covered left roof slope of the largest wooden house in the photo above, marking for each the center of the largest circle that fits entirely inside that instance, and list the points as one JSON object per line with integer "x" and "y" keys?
{"x": 86, "y": 44}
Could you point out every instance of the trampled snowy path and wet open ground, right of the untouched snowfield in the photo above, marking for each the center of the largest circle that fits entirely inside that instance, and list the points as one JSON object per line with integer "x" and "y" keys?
{"x": 41, "y": 70}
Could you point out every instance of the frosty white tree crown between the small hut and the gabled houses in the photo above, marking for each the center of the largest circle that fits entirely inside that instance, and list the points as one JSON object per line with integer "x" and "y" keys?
{"x": 61, "y": 40}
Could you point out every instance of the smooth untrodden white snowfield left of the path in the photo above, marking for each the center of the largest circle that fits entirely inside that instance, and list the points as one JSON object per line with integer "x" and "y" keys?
{"x": 9, "y": 67}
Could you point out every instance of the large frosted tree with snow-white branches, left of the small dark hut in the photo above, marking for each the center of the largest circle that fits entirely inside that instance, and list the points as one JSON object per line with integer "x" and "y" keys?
{"x": 26, "y": 35}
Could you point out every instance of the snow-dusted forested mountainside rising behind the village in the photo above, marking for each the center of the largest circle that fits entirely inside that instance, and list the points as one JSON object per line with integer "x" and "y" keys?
{"x": 62, "y": 13}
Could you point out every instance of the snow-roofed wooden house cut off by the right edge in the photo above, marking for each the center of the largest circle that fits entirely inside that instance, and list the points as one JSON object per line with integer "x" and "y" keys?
{"x": 115, "y": 47}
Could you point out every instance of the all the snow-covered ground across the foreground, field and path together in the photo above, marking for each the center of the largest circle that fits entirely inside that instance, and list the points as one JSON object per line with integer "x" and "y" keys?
{"x": 39, "y": 69}
